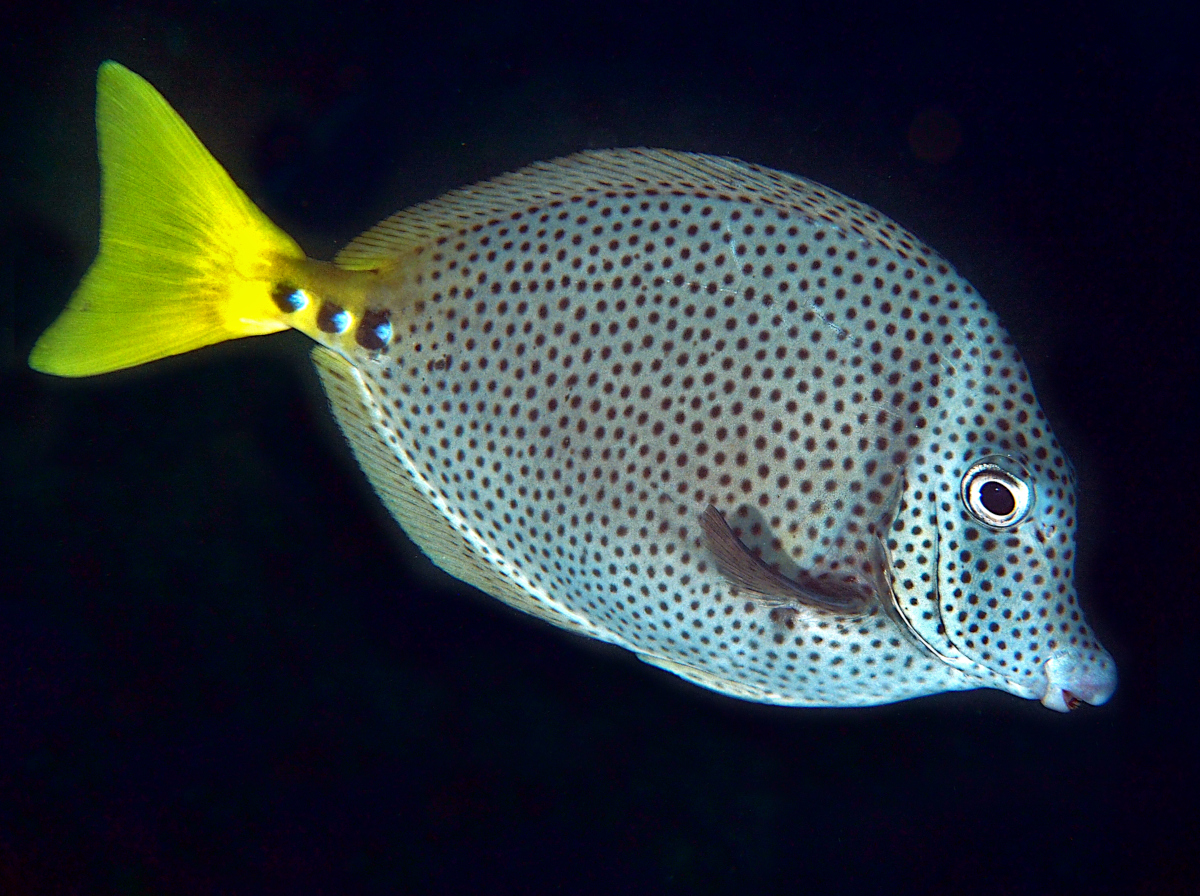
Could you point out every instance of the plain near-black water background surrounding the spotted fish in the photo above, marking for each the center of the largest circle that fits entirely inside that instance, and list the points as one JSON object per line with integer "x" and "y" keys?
{"x": 223, "y": 670}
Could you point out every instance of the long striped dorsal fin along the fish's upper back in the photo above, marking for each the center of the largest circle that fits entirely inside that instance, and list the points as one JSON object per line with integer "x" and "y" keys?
{"x": 621, "y": 171}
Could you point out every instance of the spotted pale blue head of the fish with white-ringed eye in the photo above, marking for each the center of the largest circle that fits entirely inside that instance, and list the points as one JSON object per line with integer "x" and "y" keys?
{"x": 982, "y": 555}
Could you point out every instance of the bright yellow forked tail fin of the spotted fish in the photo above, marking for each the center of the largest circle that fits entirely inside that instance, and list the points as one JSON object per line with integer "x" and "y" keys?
{"x": 185, "y": 258}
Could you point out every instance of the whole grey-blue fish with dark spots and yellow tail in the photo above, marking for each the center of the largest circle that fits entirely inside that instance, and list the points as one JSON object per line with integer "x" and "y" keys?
{"x": 725, "y": 418}
